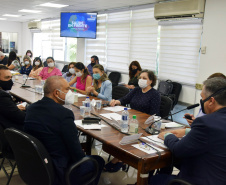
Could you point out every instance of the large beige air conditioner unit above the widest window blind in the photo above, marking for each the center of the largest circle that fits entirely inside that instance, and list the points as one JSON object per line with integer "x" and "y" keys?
{"x": 178, "y": 9}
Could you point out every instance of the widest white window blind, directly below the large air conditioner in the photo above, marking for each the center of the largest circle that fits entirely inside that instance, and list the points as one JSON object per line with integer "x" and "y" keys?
{"x": 179, "y": 51}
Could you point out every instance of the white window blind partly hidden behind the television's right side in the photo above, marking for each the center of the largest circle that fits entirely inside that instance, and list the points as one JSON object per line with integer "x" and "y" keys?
{"x": 98, "y": 46}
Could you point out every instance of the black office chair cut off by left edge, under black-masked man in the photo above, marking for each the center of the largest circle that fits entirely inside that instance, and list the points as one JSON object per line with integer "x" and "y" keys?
{"x": 6, "y": 154}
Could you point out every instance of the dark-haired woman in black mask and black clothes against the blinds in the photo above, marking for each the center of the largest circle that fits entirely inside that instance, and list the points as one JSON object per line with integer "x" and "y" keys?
{"x": 134, "y": 71}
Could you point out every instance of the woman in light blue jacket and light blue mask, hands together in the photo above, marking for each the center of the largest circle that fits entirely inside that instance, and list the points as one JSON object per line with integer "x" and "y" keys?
{"x": 102, "y": 86}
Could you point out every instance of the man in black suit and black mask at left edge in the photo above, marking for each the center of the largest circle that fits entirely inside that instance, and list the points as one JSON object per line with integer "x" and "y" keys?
{"x": 11, "y": 115}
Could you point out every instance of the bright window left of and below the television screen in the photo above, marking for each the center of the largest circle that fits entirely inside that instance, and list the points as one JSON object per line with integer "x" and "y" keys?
{"x": 49, "y": 43}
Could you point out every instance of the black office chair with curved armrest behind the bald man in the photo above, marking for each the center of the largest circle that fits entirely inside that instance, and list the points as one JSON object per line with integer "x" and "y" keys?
{"x": 34, "y": 163}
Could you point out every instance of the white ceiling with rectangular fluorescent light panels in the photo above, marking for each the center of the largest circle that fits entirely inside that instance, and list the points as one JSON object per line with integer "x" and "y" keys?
{"x": 12, "y": 7}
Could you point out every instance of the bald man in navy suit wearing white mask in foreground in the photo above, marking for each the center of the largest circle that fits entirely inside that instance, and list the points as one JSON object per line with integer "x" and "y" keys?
{"x": 54, "y": 126}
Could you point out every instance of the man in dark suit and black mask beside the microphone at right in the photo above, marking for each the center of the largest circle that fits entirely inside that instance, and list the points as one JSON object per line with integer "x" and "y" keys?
{"x": 202, "y": 151}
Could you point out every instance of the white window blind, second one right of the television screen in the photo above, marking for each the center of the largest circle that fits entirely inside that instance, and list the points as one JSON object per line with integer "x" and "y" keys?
{"x": 118, "y": 41}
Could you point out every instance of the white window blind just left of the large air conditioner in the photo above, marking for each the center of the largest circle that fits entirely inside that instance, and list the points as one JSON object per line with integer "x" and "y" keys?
{"x": 144, "y": 33}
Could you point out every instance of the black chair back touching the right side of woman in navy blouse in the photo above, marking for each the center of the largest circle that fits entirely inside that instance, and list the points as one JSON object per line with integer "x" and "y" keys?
{"x": 165, "y": 106}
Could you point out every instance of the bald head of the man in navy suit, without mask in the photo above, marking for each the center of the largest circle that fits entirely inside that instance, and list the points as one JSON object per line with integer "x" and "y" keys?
{"x": 52, "y": 83}
